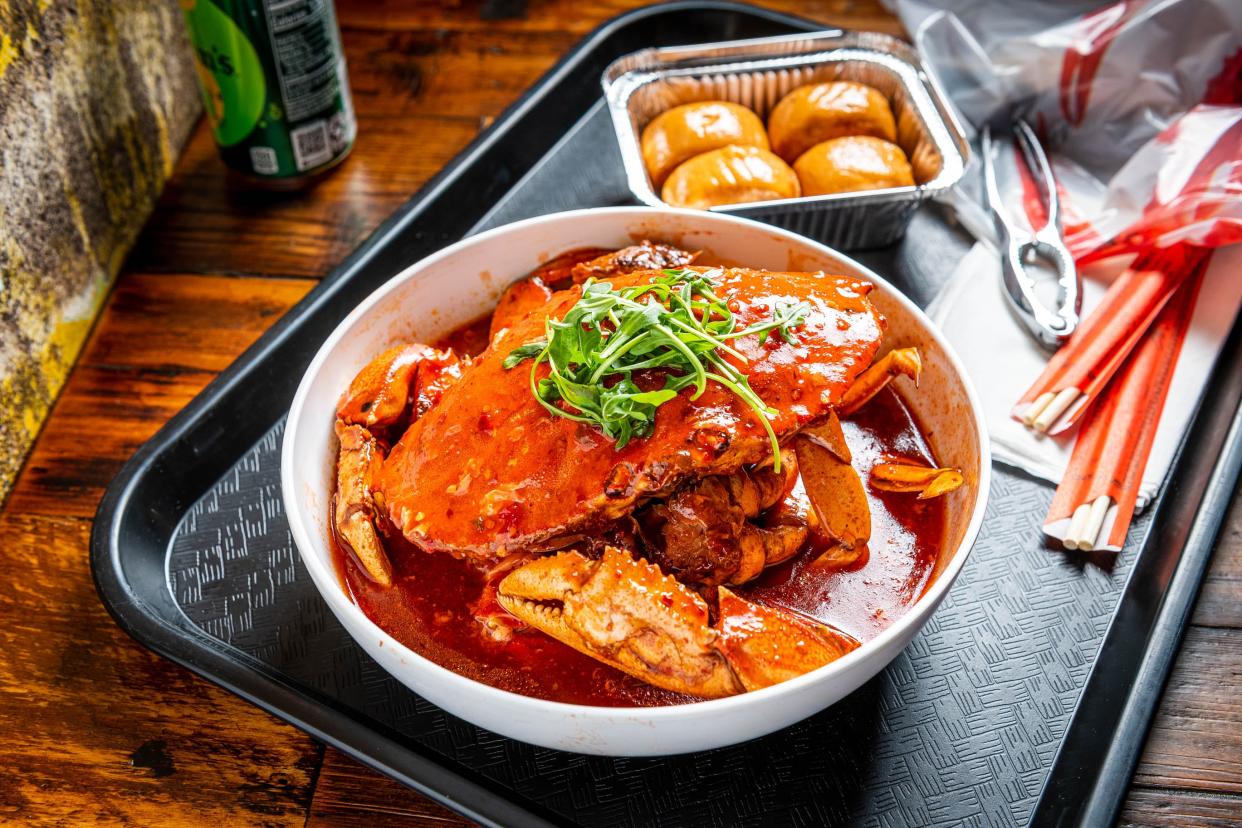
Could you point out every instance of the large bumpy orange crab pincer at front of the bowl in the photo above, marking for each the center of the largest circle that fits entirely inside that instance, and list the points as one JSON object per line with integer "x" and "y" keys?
{"x": 624, "y": 613}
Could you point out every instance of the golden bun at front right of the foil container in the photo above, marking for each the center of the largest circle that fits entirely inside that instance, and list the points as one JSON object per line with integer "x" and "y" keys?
{"x": 851, "y": 164}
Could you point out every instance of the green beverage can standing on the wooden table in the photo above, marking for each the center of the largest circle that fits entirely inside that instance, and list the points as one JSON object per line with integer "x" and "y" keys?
{"x": 274, "y": 84}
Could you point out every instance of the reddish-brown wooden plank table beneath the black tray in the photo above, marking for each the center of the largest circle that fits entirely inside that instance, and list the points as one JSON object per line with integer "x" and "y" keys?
{"x": 94, "y": 727}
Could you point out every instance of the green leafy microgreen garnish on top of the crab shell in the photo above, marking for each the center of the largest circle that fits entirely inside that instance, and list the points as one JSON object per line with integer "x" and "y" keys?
{"x": 676, "y": 323}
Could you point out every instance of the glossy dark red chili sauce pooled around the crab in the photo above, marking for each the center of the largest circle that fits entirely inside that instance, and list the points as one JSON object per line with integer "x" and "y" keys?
{"x": 429, "y": 608}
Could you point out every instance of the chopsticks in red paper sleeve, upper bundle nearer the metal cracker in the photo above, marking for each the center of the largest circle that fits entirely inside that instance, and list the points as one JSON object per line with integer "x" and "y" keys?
{"x": 1077, "y": 373}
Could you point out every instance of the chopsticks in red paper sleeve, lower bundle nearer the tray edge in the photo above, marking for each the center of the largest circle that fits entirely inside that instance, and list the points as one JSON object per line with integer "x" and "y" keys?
{"x": 1095, "y": 503}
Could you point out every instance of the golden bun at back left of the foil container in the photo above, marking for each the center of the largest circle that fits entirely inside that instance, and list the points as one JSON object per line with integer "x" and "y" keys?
{"x": 685, "y": 132}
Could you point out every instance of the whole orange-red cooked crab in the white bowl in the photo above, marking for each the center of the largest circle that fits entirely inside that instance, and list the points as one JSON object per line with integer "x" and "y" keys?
{"x": 632, "y": 556}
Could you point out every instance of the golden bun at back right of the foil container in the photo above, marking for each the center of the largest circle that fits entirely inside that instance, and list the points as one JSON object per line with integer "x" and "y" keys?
{"x": 813, "y": 115}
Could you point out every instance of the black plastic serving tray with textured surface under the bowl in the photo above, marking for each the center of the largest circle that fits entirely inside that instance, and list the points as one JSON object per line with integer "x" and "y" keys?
{"x": 1025, "y": 700}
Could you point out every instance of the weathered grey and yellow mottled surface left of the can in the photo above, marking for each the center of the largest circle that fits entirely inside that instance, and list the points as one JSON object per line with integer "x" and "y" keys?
{"x": 96, "y": 100}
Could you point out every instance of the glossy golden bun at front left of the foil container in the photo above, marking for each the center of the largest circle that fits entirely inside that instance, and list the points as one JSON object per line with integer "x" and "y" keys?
{"x": 731, "y": 176}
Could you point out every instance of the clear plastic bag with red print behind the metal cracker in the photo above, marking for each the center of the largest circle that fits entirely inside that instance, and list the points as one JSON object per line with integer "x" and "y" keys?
{"x": 1138, "y": 104}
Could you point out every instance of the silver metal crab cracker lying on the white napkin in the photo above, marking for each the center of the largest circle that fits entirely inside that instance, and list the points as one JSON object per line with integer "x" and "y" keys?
{"x": 1023, "y": 249}
